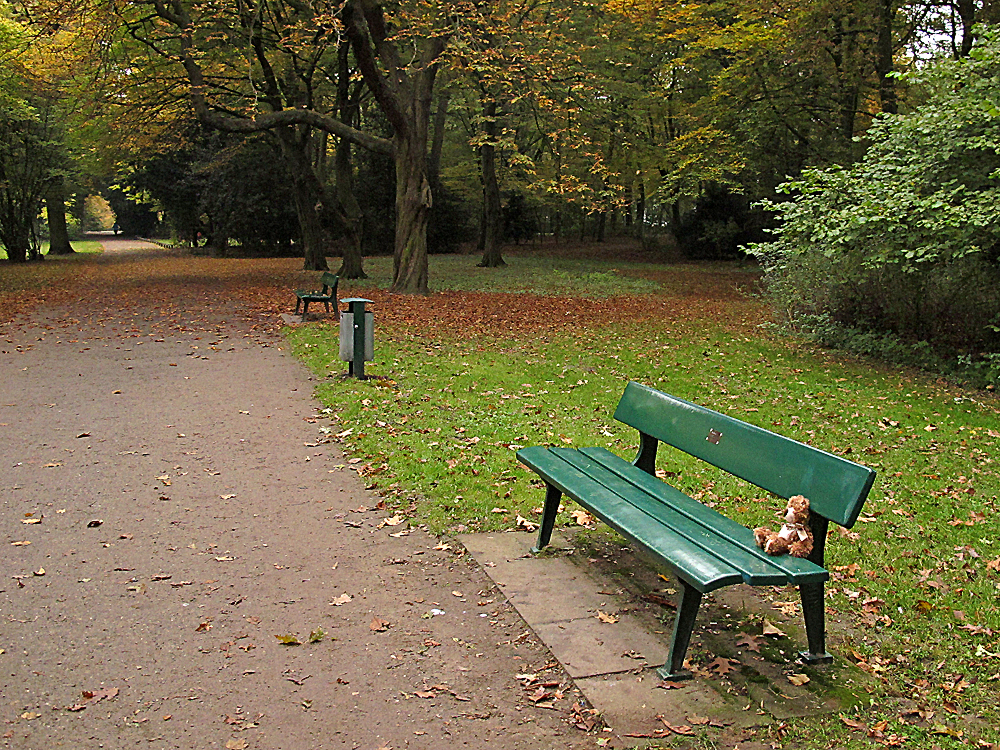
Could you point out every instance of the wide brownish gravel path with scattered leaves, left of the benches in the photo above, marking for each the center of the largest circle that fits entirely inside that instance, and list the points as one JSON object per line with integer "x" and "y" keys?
{"x": 168, "y": 508}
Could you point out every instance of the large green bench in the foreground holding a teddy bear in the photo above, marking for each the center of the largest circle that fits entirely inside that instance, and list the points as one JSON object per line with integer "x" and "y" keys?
{"x": 702, "y": 548}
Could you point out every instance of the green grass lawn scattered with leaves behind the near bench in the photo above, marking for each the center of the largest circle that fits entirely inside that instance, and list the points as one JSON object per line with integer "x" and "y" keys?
{"x": 919, "y": 576}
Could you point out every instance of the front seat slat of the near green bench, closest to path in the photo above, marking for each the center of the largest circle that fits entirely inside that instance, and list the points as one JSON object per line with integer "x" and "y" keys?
{"x": 674, "y": 550}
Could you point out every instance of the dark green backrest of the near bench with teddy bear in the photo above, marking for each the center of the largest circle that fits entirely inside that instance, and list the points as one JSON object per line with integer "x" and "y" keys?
{"x": 836, "y": 487}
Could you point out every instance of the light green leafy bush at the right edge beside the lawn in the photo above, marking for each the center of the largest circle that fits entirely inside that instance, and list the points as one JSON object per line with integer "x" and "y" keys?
{"x": 906, "y": 243}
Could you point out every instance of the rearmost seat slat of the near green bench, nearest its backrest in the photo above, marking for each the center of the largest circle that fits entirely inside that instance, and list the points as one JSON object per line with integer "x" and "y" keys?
{"x": 795, "y": 569}
